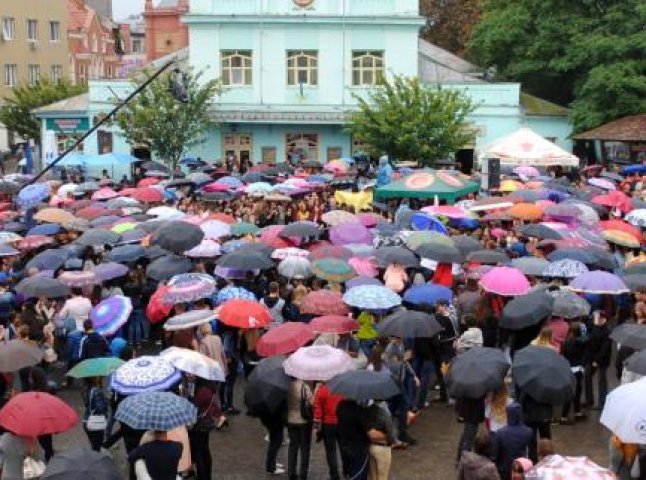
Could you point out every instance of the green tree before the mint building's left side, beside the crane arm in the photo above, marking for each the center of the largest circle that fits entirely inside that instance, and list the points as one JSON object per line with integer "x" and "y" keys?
{"x": 168, "y": 127}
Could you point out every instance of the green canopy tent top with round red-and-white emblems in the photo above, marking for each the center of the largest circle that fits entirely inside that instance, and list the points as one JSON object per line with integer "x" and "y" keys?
{"x": 428, "y": 183}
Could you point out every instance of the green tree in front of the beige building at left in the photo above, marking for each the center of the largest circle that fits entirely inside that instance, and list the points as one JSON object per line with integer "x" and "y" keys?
{"x": 16, "y": 115}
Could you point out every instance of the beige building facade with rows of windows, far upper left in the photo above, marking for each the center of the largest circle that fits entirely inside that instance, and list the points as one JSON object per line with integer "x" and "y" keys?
{"x": 33, "y": 45}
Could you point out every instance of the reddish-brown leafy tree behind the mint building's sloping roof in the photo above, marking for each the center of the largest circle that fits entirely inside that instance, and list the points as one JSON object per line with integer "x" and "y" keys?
{"x": 450, "y": 23}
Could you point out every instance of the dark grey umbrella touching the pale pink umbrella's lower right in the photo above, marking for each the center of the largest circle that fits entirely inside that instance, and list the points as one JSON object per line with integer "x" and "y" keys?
{"x": 363, "y": 385}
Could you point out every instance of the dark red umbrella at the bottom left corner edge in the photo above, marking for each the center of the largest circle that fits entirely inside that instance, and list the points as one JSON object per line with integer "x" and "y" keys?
{"x": 32, "y": 414}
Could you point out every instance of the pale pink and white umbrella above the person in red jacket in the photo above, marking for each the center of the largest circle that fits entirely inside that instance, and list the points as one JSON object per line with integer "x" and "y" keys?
{"x": 317, "y": 363}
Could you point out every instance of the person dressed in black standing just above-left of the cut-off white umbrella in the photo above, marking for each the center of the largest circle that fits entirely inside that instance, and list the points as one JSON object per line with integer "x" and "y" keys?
{"x": 598, "y": 360}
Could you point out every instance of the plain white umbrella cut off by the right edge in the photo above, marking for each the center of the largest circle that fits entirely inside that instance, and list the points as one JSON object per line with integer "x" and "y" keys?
{"x": 624, "y": 412}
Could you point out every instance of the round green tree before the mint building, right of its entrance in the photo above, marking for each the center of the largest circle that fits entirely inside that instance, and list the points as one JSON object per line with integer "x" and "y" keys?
{"x": 411, "y": 121}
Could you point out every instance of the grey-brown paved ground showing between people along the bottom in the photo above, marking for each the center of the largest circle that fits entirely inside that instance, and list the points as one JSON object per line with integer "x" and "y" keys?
{"x": 239, "y": 449}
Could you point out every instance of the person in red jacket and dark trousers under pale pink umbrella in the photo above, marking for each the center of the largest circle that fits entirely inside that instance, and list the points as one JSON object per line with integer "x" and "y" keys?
{"x": 325, "y": 425}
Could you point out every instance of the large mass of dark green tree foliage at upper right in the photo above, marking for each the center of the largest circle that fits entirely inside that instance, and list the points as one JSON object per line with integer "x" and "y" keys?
{"x": 585, "y": 53}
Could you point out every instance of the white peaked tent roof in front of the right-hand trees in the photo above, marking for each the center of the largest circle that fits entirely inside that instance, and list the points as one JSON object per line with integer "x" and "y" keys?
{"x": 526, "y": 147}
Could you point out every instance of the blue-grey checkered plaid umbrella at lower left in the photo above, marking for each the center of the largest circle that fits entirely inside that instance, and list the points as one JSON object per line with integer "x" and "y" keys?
{"x": 160, "y": 411}
